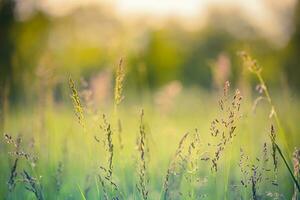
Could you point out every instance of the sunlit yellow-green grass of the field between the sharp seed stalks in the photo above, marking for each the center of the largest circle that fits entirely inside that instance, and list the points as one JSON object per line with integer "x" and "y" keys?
{"x": 62, "y": 139}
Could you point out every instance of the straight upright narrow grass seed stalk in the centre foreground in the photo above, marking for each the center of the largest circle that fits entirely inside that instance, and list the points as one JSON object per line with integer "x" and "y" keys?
{"x": 143, "y": 180}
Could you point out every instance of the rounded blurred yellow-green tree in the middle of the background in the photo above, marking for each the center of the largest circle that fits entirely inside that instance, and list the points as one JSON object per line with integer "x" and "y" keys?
{"x": 164, "y": 55}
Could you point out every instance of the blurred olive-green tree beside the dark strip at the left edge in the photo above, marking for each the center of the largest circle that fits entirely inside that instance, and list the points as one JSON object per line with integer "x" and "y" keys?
{"x": 30, "y": 37}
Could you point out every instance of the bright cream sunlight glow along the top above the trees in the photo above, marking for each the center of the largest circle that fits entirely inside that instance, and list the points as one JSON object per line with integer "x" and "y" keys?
{"x": 270, "y": 17}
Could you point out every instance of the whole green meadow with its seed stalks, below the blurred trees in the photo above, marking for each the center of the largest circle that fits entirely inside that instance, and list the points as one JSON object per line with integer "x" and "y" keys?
{"x": 238, "y": 142}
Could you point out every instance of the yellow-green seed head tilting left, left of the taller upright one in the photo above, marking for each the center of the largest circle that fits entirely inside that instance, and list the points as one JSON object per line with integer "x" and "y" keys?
{"x": 78, "y": 108}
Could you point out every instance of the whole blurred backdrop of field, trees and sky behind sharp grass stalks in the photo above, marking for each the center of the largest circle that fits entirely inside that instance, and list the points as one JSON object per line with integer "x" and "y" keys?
{"x": 177, "y": 56}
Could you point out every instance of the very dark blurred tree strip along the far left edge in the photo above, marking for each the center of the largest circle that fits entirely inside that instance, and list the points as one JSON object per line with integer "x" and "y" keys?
{"x": 6, "y": 53}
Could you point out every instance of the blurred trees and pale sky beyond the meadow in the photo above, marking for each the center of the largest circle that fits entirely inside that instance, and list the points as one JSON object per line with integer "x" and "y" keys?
{"x": 165, "y": 44}
